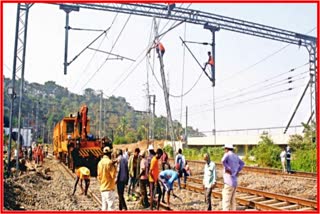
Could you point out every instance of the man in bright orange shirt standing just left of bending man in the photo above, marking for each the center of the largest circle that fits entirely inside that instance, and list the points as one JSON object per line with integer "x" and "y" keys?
{"x": 153, "y": 178}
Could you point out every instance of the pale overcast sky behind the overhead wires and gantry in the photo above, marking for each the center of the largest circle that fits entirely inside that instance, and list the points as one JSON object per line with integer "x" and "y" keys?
{"x": 248, "y": 69}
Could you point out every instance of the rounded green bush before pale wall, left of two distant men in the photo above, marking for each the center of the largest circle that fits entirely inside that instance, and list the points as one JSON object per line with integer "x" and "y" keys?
{"x": 266, "y": 152}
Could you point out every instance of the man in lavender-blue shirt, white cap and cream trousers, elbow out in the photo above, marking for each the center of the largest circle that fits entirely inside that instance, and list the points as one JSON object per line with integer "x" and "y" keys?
{"x": 232, "y": 166}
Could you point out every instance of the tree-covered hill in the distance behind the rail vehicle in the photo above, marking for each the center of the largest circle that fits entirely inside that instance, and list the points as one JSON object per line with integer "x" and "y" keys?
{"x": 50, "y": 102}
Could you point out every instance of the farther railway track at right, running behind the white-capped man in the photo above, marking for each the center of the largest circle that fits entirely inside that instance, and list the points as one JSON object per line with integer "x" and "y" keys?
{"x": 197, "y": 167}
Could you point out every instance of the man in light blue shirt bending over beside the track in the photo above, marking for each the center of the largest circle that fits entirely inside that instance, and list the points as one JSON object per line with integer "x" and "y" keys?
{"x": 167, "y": 178}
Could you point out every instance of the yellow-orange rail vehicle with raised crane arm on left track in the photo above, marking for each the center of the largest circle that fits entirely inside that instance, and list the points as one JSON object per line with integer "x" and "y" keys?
{"x": 70, "y": 134}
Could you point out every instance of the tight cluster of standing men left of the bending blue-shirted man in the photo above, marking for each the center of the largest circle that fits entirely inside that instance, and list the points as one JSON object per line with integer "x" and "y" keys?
{"x": 124, "y": 170}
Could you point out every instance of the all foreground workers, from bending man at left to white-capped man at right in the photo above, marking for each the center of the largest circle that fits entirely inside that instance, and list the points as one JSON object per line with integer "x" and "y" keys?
{"x": 116, "y": 172}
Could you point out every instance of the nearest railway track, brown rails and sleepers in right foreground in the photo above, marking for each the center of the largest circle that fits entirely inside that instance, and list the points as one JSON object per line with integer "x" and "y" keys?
{"x": 259, "y": 200}
